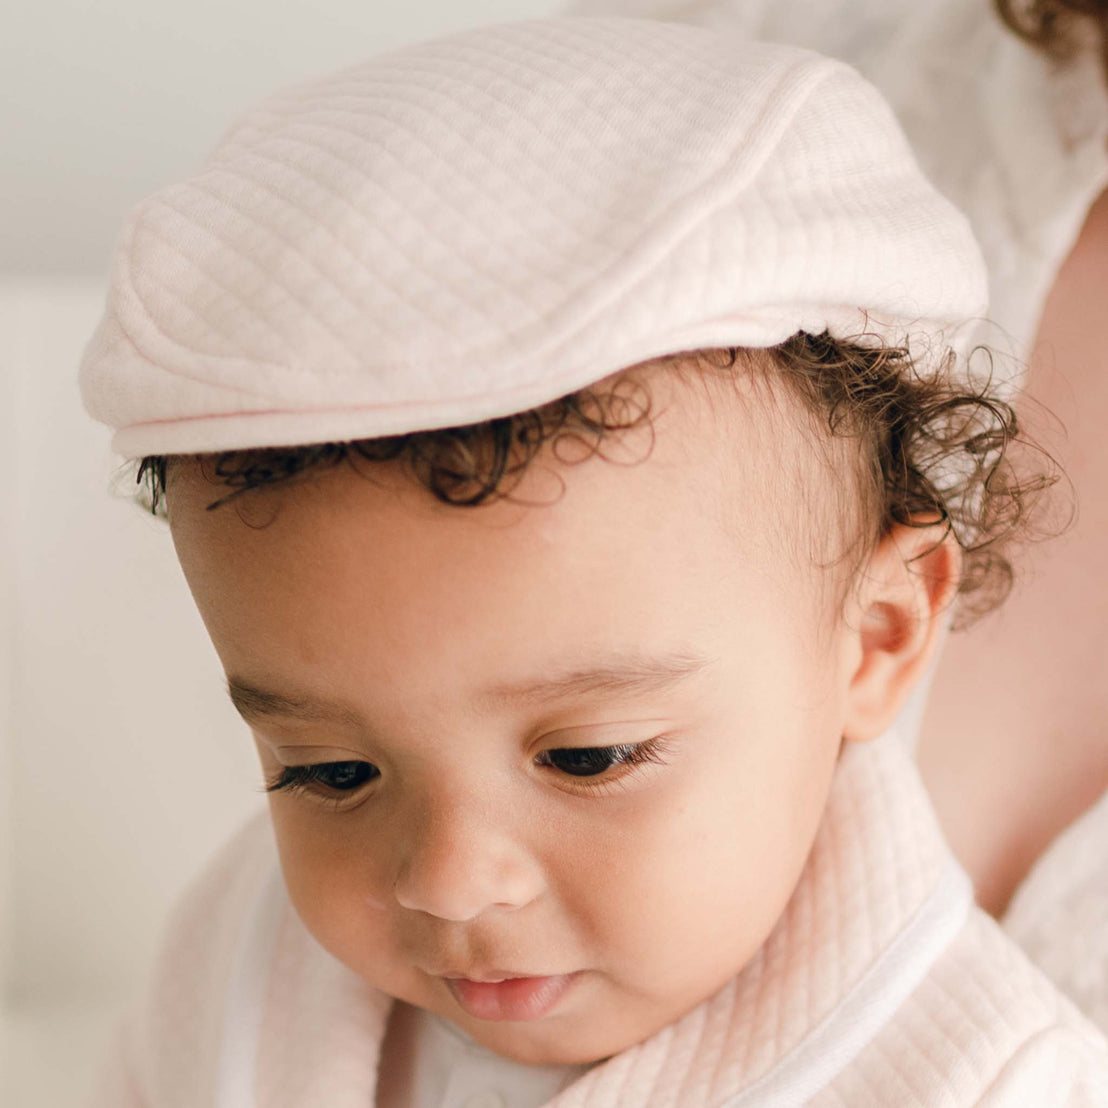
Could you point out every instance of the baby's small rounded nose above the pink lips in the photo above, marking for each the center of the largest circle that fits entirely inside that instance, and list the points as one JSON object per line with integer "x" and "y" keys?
{"x": 457, "y": 863}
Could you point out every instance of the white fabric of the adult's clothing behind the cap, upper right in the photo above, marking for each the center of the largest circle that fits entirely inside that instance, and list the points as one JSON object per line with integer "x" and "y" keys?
{"x": 1020, "y": 145}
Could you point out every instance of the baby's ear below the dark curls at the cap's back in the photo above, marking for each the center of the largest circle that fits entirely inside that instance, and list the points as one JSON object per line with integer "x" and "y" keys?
{"x": 897, "y": 622}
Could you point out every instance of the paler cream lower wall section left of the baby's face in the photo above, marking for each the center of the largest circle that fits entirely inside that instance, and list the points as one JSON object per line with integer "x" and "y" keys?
{"x": 128, "y": 765}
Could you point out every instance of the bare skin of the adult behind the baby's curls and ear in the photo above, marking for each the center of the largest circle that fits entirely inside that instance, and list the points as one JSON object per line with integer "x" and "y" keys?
{"x": 1027, "y": 688}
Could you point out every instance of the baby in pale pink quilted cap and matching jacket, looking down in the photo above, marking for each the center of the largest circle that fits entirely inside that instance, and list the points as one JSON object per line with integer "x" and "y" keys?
{"x": 568, "y": 436}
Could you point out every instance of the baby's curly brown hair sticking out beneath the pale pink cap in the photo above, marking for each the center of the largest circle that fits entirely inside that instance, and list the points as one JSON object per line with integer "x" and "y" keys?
{"x": 929, "y": 448}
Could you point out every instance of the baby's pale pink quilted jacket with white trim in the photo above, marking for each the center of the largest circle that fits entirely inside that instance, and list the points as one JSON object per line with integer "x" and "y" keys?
{"x": 880, "y": 986}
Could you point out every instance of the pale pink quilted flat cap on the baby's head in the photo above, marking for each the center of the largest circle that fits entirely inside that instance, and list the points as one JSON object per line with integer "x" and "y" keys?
{"x": 479, "y": 224}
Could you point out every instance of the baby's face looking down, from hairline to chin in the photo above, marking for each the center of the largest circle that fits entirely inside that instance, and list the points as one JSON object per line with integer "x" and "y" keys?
{"x": 588, "y": 742}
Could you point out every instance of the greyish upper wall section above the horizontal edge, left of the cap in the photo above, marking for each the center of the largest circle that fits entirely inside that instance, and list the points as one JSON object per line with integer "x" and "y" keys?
{"x": 102, "y": 102}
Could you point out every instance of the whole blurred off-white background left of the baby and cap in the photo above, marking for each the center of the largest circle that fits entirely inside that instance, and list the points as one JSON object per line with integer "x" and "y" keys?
{"x": 122, "y": 765}
